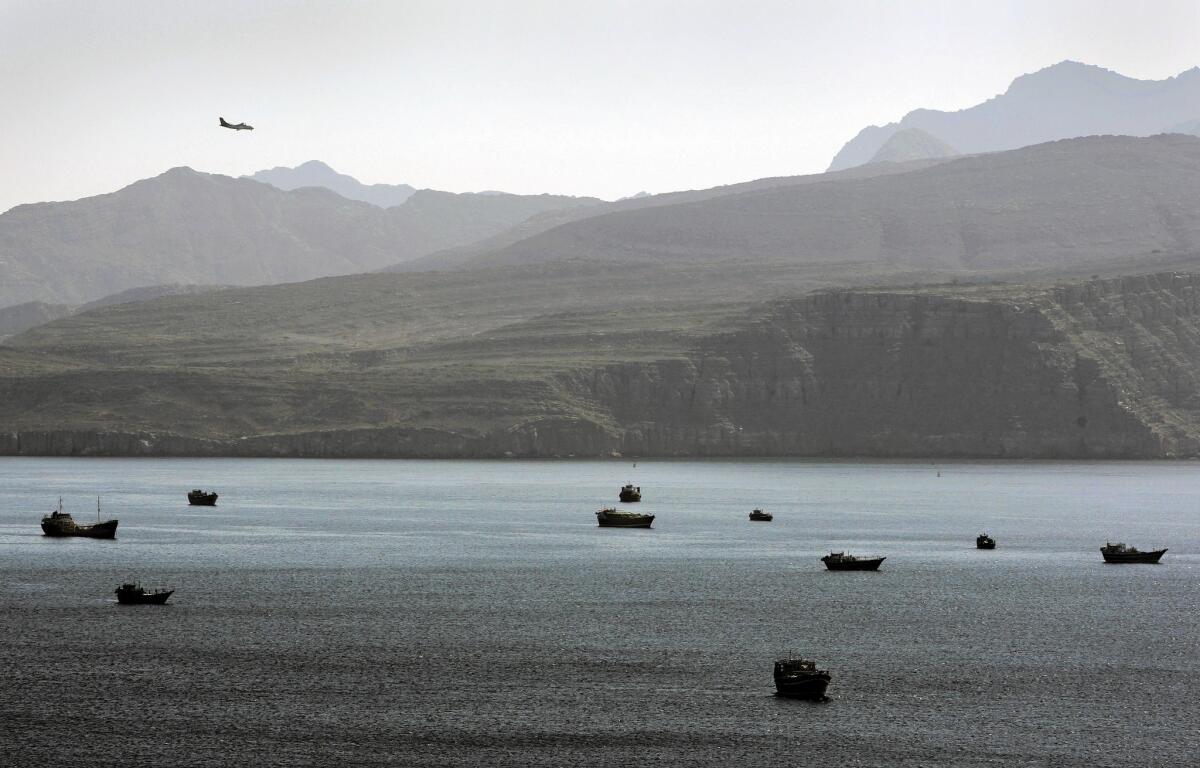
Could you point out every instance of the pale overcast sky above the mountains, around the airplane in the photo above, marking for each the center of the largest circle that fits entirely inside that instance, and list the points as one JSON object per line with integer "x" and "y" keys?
{"x": 603, "y": 98}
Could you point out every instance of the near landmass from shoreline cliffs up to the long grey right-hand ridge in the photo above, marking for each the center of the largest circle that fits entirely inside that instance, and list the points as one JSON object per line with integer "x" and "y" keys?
{"x": 807, "y": 316}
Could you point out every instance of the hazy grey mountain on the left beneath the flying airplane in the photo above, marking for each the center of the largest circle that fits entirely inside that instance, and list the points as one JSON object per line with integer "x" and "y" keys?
{"x": 194, "y": 229}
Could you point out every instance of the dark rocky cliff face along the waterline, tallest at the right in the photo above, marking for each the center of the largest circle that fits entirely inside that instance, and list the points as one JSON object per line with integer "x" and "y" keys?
{"x": 1109, "y": 369}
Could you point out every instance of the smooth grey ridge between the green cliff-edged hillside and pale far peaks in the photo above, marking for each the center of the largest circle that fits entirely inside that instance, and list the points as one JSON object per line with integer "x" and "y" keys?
{"x": 1052, "y": 206}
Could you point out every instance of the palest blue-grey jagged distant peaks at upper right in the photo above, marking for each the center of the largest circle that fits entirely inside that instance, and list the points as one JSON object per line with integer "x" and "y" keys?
{"x": 1067, "y": 100}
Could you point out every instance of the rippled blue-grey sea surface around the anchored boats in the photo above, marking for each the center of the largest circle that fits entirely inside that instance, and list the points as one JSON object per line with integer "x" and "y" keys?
{"x": 472, "y": 614}
